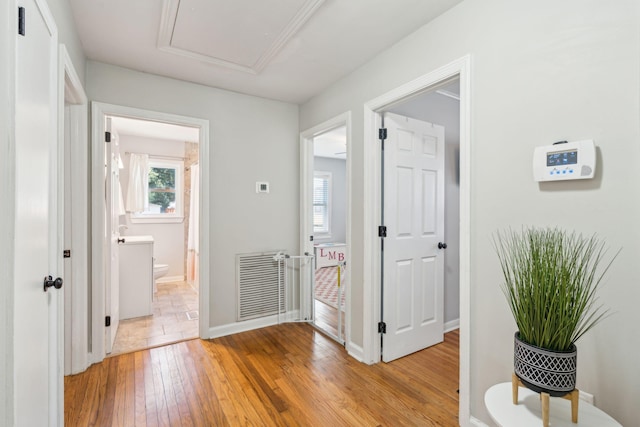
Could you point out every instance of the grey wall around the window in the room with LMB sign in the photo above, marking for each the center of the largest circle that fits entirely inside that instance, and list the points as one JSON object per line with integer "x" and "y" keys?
{"x": 338, "y": 169}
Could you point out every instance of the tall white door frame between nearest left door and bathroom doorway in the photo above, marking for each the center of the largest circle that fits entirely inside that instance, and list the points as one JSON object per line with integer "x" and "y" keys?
{"x": 72, "y": 134}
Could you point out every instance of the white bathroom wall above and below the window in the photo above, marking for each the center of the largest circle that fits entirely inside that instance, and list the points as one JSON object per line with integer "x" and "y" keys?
{"x": 168, "y": 238}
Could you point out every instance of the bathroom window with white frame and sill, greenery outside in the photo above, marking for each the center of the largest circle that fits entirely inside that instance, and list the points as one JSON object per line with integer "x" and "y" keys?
{"x": 165, "y": 192}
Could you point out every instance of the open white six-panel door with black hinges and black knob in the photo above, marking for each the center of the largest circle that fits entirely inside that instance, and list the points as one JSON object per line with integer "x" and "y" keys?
{"x": 413, "y": 301}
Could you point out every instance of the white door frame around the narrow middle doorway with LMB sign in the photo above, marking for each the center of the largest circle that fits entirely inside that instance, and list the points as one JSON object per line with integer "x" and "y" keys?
{"x": 306, "y": 208}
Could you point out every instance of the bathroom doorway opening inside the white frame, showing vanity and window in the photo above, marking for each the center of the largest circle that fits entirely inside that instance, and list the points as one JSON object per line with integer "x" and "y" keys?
{"x": 157, "y": 207}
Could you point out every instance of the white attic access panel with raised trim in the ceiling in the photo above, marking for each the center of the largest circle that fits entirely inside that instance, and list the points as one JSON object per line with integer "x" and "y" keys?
{"x": 241, "y": 34}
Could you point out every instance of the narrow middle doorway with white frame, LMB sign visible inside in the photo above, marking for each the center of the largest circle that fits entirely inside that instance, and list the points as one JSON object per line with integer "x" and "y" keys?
{"x": 325, "y": 222}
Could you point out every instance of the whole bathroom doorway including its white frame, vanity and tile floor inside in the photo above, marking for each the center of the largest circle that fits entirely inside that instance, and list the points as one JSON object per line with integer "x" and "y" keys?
{"x": 166, "y": 215}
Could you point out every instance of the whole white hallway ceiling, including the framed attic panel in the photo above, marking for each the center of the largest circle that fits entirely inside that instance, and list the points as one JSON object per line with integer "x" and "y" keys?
{"x": 287, "y": 50}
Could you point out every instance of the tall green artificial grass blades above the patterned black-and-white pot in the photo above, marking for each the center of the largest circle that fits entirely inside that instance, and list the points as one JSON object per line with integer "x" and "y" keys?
{"x": 551, "y": 278}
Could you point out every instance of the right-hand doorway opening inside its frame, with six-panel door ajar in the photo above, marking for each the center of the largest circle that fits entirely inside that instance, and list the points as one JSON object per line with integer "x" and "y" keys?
{"x": 433, "y": 118}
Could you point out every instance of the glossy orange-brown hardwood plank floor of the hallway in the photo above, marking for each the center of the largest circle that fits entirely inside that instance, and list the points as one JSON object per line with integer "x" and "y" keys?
{"x": 285, "y": 375}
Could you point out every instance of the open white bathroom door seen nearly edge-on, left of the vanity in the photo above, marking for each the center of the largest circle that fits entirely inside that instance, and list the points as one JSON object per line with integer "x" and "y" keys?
{"x": 112, "y": 222}
